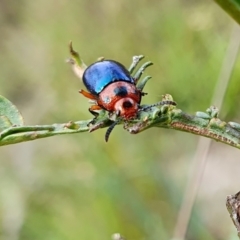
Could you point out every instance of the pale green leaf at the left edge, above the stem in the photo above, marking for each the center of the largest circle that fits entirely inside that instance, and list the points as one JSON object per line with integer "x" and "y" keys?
{"x": 9, "y": 114}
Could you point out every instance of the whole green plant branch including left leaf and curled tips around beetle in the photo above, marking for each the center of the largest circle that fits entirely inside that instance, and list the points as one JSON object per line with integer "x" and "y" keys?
{"x": 163, "y": 114}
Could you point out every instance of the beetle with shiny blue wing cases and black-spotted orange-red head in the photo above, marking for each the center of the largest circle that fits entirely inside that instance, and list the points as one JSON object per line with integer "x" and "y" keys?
{"x": 113, "y": 89}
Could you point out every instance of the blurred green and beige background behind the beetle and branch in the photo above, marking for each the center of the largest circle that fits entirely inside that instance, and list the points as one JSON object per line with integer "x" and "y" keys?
{"x": 77, "y": 186}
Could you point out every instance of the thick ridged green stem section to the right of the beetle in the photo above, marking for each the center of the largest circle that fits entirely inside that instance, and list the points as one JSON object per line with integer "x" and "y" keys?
{"x": 211, "y": 127}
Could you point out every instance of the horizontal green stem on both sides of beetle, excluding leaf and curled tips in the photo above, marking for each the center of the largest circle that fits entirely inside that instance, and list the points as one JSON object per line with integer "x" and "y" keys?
{"x": 205, "y": 124}
